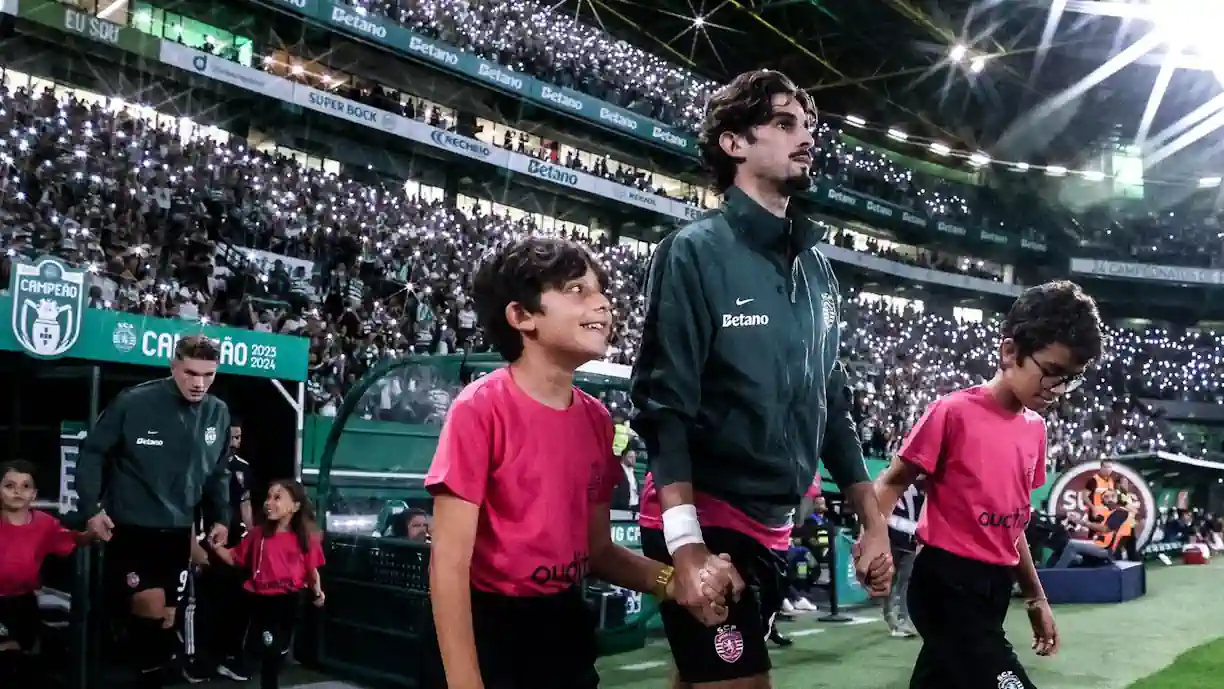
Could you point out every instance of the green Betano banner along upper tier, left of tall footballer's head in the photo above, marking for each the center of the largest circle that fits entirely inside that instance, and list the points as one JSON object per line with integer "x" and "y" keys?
{"x": 395, "y": 37}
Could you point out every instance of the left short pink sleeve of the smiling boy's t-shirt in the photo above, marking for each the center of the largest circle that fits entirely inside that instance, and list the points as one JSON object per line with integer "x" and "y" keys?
{"x": 465, "y": 456}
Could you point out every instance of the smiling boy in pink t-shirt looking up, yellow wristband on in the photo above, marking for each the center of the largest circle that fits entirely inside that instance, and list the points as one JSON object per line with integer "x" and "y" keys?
{"x": 523, "y": 482}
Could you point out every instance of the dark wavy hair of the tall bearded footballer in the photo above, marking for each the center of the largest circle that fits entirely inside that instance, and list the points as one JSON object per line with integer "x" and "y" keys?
{"x": 745, "y": 103}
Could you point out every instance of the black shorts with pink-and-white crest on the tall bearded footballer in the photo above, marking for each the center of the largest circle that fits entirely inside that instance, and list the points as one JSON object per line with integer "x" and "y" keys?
{"x": 736, "y": 649}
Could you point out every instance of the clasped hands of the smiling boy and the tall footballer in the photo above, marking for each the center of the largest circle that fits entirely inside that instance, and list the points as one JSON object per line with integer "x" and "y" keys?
{"x": 704, "y": 583}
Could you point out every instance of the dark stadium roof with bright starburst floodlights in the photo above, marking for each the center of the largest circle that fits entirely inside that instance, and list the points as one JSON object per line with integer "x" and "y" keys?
{"x": 1023, "y": 80}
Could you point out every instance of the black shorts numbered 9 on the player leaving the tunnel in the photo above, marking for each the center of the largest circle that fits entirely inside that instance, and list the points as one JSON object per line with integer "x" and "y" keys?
{"x": 139, "y": 560}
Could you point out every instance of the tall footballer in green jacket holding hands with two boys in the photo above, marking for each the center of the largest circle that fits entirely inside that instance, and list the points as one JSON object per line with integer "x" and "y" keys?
{"x": 737, "y": 386}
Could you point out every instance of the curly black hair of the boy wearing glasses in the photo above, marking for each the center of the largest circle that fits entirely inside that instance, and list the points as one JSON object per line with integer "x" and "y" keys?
{"x": 1057, "y": 313}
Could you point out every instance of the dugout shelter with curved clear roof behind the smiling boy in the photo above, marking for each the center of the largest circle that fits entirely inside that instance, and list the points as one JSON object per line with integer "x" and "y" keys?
{"x": 373, "y": 463}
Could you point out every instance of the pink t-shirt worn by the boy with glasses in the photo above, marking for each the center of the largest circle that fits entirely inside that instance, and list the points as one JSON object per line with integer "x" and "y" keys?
{"x": 983, "y": 463}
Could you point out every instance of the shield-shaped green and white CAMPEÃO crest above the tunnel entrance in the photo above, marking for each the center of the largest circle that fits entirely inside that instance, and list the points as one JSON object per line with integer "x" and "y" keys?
{"x": 48, "y": 304}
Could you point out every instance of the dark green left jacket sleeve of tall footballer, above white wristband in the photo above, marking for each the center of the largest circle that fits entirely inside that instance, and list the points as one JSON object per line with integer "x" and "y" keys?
{"x": 666, "y": 387}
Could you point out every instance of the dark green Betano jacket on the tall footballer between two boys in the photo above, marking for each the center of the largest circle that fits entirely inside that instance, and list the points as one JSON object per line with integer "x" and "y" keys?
{"x": 737, "y": 385}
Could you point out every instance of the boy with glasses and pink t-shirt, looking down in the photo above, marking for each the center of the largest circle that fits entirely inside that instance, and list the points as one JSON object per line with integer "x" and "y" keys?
{"x": 983, "y": 452}
